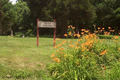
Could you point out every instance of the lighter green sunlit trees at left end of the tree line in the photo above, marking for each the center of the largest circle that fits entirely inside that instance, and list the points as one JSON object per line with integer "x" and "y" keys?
{"x": 13, "y": 17}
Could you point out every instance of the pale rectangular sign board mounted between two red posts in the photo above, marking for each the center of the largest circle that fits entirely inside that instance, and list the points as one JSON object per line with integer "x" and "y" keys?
{"x": 45, "y": 24}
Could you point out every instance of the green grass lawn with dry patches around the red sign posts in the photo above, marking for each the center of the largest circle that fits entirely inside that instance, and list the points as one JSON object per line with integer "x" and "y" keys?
{"x": 20, "y": 58}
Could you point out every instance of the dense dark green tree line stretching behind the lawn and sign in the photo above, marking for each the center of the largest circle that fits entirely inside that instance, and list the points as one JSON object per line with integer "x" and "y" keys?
{"x": 21, "y": 17}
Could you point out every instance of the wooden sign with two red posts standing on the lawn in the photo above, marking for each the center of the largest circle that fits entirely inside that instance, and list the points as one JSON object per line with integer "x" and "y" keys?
{"x": 46, "y": 24}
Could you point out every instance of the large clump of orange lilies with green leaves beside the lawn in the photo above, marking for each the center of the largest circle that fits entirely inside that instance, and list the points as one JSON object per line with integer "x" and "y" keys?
{"x": 87, "y": 59}
